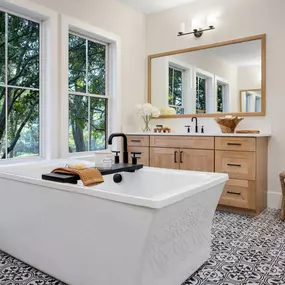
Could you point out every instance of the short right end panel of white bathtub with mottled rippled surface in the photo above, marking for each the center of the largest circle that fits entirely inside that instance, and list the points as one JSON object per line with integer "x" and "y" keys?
{"x": 179, "y": 241}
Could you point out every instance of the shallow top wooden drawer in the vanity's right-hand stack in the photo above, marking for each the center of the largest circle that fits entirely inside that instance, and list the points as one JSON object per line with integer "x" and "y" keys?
{"x": 240, "y": 144}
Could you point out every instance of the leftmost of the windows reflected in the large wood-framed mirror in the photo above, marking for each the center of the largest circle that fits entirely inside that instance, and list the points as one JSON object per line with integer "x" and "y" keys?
{"x": 175, "y": 86}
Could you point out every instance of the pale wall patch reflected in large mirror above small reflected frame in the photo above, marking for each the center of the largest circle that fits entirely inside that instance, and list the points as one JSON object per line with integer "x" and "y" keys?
{"x": 249, "y": 77}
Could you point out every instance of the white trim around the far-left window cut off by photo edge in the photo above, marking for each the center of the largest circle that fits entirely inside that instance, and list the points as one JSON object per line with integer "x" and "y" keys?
{"x": 49, "y": 131}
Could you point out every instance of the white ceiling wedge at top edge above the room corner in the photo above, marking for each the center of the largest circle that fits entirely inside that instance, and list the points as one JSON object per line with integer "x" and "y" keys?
{"x": 151, "y": 6}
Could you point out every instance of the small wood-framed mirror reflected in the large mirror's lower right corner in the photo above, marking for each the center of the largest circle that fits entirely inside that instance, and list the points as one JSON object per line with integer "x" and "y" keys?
{"x": 250, "y": 100}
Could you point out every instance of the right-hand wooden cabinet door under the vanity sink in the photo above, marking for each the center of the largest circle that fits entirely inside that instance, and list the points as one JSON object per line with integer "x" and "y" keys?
{"x": 197, "y": 160}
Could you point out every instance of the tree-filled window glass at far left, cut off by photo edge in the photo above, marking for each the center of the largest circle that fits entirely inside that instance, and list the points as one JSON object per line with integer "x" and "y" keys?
{"x": 19, "y": 86}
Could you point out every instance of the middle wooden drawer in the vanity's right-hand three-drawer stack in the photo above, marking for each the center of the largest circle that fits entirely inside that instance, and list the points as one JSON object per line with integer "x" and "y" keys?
{"x": 238, "y": 164}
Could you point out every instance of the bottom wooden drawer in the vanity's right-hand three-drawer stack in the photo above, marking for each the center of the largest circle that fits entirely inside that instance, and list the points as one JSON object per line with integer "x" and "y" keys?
{"x": 239, "y": 193}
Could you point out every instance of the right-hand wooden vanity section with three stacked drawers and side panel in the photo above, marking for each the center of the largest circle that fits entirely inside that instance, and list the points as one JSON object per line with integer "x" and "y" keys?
{"x": 245, "y": 160}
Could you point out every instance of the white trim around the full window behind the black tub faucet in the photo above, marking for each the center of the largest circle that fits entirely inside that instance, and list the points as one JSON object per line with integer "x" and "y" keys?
{"x": 114, "y": 106}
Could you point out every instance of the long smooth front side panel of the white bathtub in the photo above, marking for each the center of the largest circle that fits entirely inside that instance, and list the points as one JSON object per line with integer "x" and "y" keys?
{"x": 75, "y": 238}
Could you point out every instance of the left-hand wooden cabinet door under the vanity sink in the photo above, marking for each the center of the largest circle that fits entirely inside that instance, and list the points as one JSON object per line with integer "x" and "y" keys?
{"x": 164, "y": 157}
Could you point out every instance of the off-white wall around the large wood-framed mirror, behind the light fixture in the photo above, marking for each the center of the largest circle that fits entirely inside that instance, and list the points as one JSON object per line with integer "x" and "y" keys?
{"x": 236, "y": 19}
